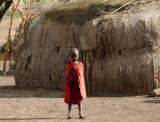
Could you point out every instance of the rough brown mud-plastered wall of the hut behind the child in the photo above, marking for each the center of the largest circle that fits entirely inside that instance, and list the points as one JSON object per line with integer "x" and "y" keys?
{"x": 121, "y": 53}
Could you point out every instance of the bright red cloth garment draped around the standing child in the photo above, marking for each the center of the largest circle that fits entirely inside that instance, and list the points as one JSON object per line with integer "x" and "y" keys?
{"x": 74, "y": 86}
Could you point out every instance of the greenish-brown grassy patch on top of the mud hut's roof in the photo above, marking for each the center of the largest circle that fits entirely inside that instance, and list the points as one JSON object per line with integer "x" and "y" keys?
{"x": 81, "y": 11}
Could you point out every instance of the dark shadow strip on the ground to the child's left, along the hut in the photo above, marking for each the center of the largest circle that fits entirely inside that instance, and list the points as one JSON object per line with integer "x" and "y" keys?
{"x": 12, "y": 91}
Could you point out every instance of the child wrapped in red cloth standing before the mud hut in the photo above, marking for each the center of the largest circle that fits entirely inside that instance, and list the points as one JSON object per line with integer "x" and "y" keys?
{"x": 75, "y": 90}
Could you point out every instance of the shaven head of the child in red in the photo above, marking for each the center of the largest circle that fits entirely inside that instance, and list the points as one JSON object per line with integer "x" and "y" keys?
{"x": 74, "y": 54}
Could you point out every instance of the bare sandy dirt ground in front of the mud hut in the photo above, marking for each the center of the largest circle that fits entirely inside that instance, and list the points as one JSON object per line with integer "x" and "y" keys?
{"x": 42, "y": 105}
